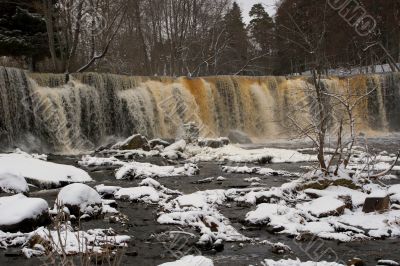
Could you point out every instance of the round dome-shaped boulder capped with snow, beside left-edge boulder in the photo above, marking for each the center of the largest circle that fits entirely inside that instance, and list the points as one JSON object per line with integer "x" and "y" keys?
{"x": 80, "y": 200}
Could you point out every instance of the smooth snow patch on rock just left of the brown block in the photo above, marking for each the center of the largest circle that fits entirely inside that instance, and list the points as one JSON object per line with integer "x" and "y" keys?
{"x": 322, "y": 206}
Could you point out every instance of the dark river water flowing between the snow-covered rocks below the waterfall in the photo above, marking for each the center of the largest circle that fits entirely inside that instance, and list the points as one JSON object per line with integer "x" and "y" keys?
{"x": 142, "y": 225}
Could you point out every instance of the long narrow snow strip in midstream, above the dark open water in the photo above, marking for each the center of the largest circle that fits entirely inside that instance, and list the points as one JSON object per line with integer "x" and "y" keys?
{"x": 144, "y": 170}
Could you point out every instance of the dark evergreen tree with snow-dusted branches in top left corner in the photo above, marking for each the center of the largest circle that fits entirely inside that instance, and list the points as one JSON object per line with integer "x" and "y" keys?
{"x": 22, "y": 31}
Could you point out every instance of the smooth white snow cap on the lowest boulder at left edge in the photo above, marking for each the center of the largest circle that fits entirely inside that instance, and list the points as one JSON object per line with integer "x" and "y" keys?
{"x": 15, "y": 209}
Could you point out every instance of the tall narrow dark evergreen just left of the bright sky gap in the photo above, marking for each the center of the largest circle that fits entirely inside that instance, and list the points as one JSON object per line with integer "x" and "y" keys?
{"x": 235, "y": 57}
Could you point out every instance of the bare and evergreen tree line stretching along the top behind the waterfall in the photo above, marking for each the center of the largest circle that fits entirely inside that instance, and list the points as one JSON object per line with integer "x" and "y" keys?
{"x": 195, "y": 37}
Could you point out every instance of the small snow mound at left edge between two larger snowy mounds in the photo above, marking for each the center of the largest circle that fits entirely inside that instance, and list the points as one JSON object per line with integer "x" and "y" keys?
{"x": 12, "y": 183}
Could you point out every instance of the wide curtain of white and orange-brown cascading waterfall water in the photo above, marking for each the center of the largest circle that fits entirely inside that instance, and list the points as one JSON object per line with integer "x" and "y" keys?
{"x": 90, "y": 107}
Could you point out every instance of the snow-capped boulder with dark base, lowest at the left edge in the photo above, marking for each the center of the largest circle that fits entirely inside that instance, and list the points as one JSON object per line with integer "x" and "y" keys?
{"x": 20, "y": 213}
